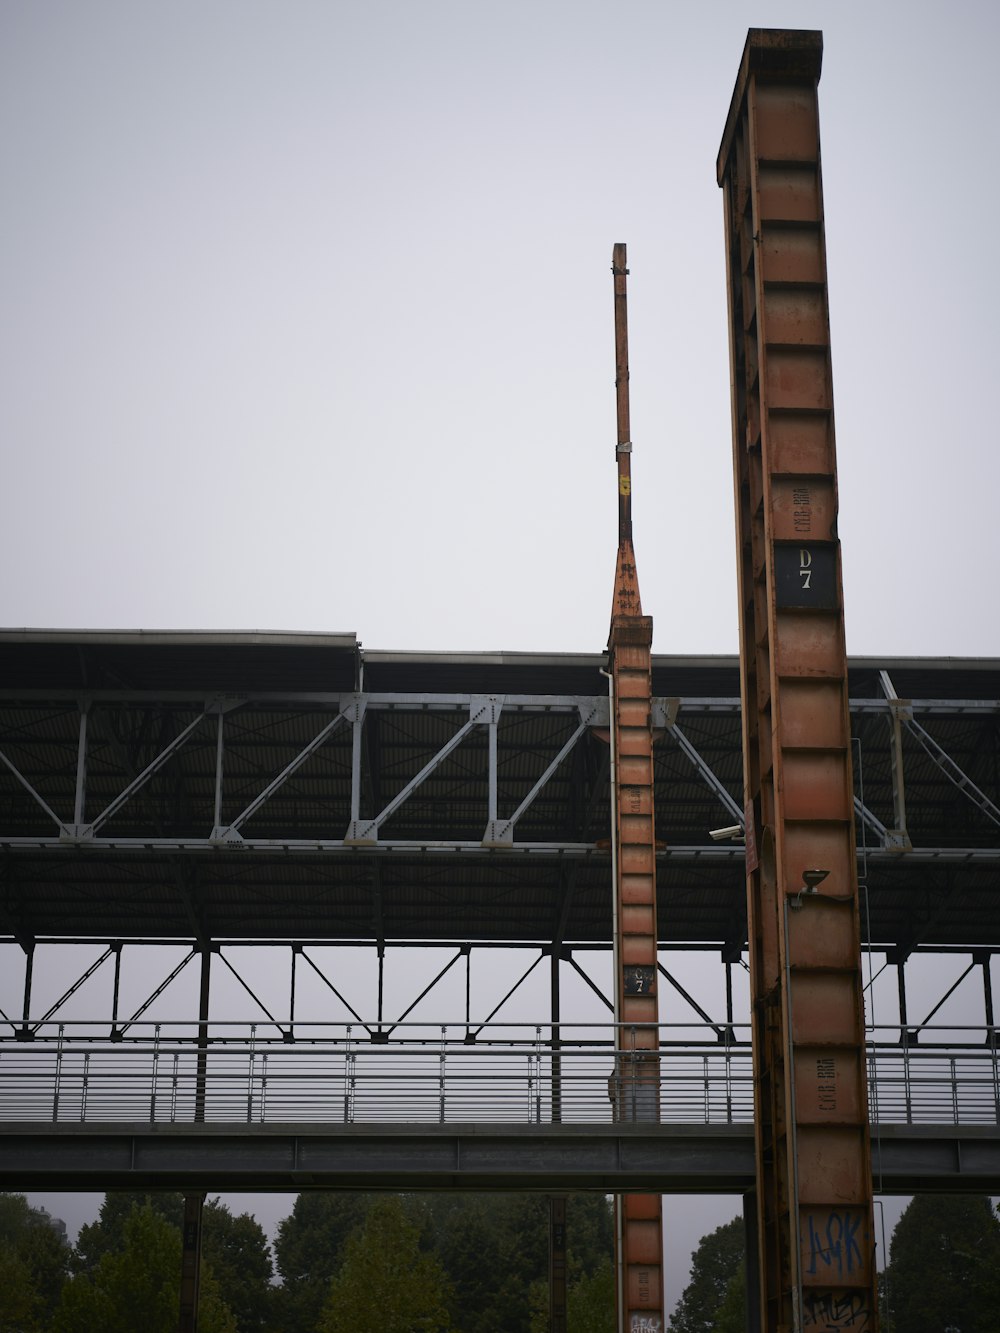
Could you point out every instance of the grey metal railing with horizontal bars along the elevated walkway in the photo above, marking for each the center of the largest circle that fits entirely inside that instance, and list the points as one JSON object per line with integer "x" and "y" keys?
{"x": 417, "y": 1074}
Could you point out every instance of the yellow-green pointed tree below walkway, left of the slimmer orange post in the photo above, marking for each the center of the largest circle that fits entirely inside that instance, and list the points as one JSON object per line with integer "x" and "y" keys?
{"x": 386, "y": 1282}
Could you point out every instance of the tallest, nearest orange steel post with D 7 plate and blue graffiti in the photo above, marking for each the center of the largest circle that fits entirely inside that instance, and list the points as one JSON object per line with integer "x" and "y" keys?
{"x": 811, "y": 1102}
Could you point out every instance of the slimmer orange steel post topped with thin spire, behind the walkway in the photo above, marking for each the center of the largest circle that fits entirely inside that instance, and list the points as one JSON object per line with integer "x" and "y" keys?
{"x": 637, "y": 1084}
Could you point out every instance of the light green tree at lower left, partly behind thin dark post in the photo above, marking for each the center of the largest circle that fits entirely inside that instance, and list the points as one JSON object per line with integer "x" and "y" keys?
{"x": 138, "y": 1287}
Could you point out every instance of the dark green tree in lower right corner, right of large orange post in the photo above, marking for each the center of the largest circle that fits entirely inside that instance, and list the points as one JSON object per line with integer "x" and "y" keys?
{"x": 945, "y": 1267}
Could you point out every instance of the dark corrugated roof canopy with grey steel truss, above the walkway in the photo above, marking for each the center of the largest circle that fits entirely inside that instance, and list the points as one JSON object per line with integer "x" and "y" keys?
{"x": 223, "y": 787}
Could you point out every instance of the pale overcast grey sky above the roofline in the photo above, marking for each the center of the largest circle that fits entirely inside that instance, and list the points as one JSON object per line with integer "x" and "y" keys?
{"x": 307, "y": 317}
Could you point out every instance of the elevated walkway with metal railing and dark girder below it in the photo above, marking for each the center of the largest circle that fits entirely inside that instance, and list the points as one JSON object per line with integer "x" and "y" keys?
{"x": 501, "y": 1107}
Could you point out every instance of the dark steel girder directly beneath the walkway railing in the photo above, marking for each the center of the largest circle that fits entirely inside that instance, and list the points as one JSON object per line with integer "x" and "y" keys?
{"x": 611, "y": 1159}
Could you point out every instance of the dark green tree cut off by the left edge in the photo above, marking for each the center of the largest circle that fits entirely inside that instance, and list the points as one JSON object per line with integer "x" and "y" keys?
{"x": 34, "y": 1266}
